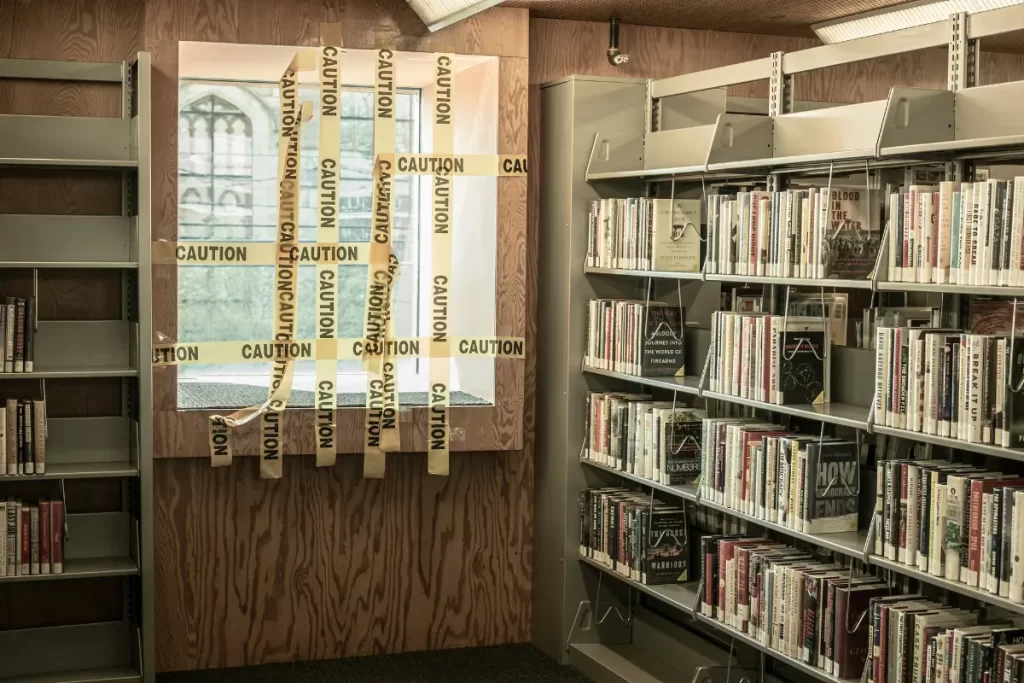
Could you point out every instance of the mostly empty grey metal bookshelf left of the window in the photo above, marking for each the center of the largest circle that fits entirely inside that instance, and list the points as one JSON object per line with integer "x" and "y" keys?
{"x": 115, "y": 544}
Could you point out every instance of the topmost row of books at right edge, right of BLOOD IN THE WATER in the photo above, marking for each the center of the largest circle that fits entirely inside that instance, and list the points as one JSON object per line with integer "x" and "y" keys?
{"x": 963, "y": 234}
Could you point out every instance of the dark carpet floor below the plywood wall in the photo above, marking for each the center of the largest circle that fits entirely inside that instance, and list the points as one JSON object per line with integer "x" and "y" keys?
{"x": 504, "y": 664}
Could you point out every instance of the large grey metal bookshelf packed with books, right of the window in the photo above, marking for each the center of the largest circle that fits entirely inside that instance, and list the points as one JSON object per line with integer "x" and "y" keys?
{"x": 624, "y": 138}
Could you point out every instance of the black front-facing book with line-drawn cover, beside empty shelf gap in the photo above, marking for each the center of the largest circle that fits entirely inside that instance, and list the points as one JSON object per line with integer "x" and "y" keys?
{"x": 804, "y": 362}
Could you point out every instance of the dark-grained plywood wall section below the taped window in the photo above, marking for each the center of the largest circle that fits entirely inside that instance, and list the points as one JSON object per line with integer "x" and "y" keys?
{"x": 326, "y": 565}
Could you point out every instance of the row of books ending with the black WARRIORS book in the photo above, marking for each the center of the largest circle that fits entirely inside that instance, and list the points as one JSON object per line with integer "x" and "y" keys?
{"x": 639, "y": 538}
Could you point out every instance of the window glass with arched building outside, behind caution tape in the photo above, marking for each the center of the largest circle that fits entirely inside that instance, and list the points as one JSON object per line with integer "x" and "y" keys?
{"x": 228, "y": 172}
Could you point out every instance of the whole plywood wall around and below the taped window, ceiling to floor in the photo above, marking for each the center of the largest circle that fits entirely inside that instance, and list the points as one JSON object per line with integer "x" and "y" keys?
{"x": 324, "y": 564}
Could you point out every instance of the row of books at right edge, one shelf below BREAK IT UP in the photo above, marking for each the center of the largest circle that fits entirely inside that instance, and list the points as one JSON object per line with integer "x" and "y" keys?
{"x": 953, "y": 521}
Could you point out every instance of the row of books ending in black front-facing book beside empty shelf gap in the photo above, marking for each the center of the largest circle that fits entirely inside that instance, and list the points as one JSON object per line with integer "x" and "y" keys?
{"x": 773, "y": 359}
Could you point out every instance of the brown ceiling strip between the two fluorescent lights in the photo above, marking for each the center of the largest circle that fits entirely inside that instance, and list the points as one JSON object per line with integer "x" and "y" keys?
{"x": 782, "y": 18}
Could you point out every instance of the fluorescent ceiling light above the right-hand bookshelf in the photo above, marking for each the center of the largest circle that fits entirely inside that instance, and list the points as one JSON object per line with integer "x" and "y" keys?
{"x": 902, "y": 17}
